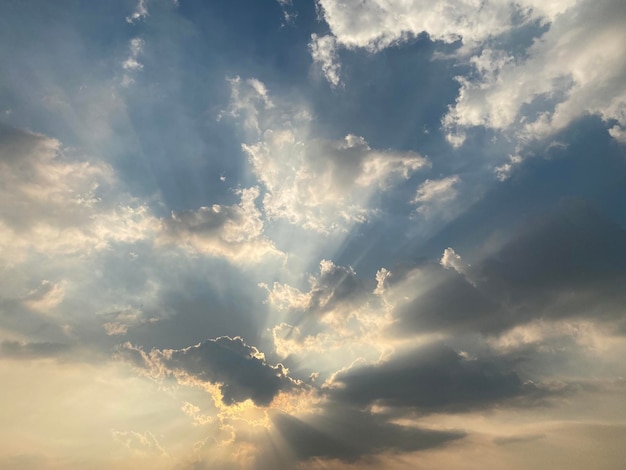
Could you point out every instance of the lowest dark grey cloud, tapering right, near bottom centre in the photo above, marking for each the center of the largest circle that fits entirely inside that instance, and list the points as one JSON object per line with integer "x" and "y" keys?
{"x": 346, "y": 433}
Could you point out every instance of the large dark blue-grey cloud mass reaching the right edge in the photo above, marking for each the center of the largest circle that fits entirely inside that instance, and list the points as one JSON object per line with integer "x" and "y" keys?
{"x": 570, "y": 263}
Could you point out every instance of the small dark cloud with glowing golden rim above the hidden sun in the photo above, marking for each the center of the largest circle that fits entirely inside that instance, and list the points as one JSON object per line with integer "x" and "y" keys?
{"x": 240, "y": 370}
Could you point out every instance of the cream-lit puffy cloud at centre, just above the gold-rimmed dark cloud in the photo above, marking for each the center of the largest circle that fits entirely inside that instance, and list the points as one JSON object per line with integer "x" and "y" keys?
{"x": 338, "y": 314}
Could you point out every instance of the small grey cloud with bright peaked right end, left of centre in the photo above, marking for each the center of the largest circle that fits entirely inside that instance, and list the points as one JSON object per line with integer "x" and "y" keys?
{"x": 234, "y": 232}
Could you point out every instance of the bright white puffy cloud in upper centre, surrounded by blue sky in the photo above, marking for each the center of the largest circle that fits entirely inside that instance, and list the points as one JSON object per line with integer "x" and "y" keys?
{"x": 323, "y": 185}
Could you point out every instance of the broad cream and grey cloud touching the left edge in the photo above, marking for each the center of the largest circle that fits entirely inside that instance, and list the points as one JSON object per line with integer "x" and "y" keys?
{"x": 51, "y": 203}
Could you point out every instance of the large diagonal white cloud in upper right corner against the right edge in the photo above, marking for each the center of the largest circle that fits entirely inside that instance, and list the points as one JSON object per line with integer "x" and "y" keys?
{"x": 575, "y": 68}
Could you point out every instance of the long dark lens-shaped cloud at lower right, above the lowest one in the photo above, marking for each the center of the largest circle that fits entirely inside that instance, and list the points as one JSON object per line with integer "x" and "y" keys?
{"x": 432, "y": 378}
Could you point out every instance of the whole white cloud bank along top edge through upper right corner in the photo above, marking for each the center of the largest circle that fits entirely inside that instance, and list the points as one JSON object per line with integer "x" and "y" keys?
{"x": 574, "y": 67}
